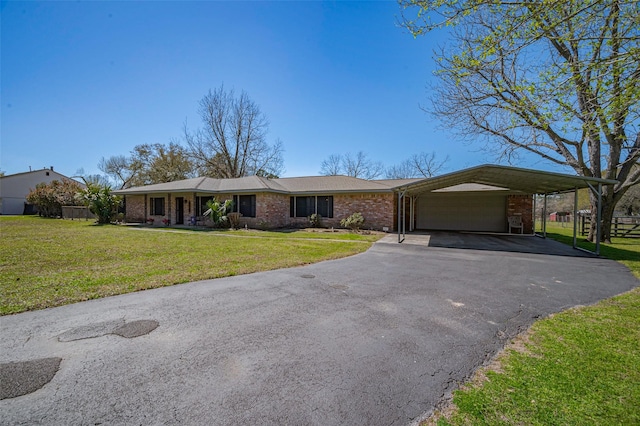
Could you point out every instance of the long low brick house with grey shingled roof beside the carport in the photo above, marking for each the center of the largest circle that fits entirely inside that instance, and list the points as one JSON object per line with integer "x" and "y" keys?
{"x": 267, "y": 203}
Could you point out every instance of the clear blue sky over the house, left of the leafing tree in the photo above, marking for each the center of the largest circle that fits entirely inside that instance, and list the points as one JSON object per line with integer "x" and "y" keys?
{"x": 85, "y": 80}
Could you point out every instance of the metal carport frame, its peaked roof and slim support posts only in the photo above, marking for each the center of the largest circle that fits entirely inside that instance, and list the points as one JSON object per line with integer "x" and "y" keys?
{"x": 513, "y": 178}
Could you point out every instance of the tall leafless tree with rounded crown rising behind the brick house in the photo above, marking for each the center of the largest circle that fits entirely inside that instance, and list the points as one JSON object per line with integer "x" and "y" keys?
{"x": 232, "y": 141}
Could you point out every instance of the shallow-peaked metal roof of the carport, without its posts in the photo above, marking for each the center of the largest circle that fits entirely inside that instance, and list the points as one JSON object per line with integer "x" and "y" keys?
{"x": 512, "y": 178}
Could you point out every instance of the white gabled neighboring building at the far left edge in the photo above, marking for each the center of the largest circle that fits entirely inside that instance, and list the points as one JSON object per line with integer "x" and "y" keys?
{"x": 15, "y": 188}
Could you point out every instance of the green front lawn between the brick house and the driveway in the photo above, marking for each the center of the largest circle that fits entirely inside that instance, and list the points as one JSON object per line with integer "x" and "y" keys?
{"x": 50, "y": 262}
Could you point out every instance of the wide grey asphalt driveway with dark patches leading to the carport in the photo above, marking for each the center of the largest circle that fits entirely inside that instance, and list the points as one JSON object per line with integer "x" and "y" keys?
{"x": 378, "y": 338}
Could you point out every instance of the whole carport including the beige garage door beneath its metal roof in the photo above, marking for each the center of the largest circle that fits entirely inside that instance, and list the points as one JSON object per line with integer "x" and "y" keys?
{"x": 475, "y": 199}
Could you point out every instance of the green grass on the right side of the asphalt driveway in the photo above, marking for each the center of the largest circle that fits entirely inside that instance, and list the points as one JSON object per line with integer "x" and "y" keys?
{"x": 578, "y": 367}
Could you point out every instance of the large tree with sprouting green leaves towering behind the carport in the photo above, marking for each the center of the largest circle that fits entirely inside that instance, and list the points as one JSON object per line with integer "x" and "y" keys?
{"x": 559, "y": 79}
